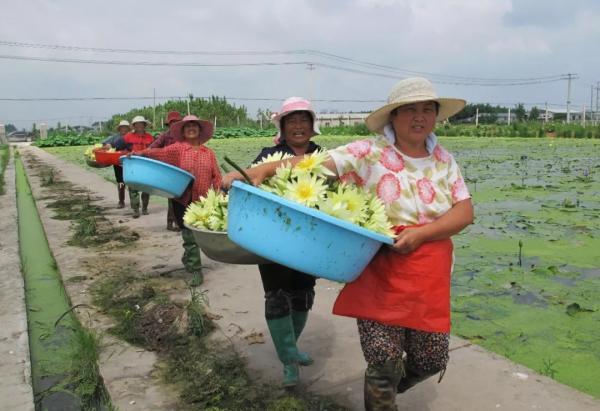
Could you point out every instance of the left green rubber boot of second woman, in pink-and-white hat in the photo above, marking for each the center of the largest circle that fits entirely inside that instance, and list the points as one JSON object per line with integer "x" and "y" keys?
{"x": 284, "y": 339}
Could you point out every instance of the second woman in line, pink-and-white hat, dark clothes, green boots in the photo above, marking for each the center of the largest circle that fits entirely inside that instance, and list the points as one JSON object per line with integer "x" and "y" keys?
{"x": 289, "y": 294}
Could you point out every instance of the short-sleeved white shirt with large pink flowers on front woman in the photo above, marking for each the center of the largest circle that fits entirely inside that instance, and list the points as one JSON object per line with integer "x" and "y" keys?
{"x": 414, "y": 190}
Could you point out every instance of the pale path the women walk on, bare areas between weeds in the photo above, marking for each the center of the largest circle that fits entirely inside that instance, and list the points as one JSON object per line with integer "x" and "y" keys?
{"x": 475, "y": 380}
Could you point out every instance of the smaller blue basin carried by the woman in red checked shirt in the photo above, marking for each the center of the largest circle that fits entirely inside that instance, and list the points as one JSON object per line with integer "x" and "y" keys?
{"x": 155, "y": 177}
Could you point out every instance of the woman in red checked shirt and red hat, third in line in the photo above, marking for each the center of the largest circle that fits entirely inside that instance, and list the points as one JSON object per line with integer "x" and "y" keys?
{"x": 190, "y": 154}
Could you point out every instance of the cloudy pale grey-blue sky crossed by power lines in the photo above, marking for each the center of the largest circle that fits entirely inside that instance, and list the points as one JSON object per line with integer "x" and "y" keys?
{"x": 471, "y": 49}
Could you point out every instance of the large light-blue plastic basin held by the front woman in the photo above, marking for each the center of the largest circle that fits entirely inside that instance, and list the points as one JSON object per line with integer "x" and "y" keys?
{"x": 299, "y": 237}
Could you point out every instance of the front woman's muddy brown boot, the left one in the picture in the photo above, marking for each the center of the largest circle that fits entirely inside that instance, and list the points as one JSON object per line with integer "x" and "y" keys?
{"x": 380, "y": 385}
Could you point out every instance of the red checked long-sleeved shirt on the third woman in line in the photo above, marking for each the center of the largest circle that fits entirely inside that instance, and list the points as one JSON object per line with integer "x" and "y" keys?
{"x": 199, "y": 161}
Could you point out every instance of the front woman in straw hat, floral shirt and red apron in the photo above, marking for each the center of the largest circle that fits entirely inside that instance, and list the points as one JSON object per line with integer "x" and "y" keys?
{"x": 402, "y": 299}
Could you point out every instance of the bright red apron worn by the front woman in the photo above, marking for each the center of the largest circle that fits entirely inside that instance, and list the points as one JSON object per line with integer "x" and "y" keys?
{"x": 407, "y": 290}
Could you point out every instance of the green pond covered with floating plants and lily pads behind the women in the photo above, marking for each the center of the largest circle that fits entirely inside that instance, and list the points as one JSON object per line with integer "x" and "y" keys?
{"x": 542, "y": 309}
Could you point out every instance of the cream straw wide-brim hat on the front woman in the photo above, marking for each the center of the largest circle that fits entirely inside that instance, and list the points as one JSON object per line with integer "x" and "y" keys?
{"x": 408, "y": 91}
